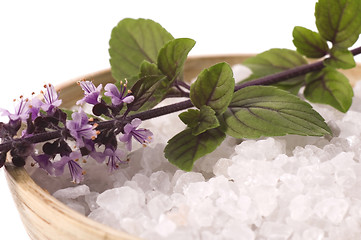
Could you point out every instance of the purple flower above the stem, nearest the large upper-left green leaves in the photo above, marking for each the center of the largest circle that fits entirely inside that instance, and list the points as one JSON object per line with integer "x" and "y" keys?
{"x": 118, "y": 97}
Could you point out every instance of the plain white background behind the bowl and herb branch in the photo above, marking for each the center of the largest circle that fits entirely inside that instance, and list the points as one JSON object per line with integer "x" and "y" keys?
{"x": 54, "y": 41}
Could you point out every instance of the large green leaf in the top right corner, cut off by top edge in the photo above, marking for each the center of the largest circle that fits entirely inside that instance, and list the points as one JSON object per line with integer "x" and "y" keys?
{"x": 339, "y": 21}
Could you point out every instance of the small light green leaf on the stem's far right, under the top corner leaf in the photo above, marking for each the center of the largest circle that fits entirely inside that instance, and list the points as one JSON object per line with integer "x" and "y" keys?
{"x": 340, "y": 58}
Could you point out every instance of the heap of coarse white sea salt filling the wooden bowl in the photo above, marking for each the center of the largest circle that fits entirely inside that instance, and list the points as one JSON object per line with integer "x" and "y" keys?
{"x": 291, "y": 187}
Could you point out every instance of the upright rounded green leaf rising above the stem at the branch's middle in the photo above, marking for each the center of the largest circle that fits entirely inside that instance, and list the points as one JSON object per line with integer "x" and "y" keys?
{"x": 214, "y": 87}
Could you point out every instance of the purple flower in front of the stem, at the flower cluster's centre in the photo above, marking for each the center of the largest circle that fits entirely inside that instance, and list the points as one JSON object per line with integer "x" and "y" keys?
{"x": 80, "y": 129}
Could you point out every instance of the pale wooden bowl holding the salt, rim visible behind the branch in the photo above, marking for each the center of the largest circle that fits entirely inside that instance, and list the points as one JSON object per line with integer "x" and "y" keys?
{"x": 45, "y": 217}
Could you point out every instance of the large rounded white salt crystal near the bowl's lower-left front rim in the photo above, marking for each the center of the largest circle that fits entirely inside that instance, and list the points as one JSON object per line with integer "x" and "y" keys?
{"x": 124, "y": 200}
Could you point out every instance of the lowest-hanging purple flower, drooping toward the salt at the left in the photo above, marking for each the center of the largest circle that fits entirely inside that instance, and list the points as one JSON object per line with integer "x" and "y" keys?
{"x": 76, "y": 172}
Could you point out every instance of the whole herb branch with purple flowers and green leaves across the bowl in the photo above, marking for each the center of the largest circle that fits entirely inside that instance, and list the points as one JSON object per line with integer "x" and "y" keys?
{"x": 147, "y": 64}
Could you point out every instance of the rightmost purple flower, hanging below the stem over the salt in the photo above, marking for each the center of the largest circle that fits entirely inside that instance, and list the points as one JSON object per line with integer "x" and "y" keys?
{"x": 141, "y": 135}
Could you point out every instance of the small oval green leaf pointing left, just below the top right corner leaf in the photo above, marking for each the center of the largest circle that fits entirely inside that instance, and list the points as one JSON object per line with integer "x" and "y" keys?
{"x": 309, "y": 43}
